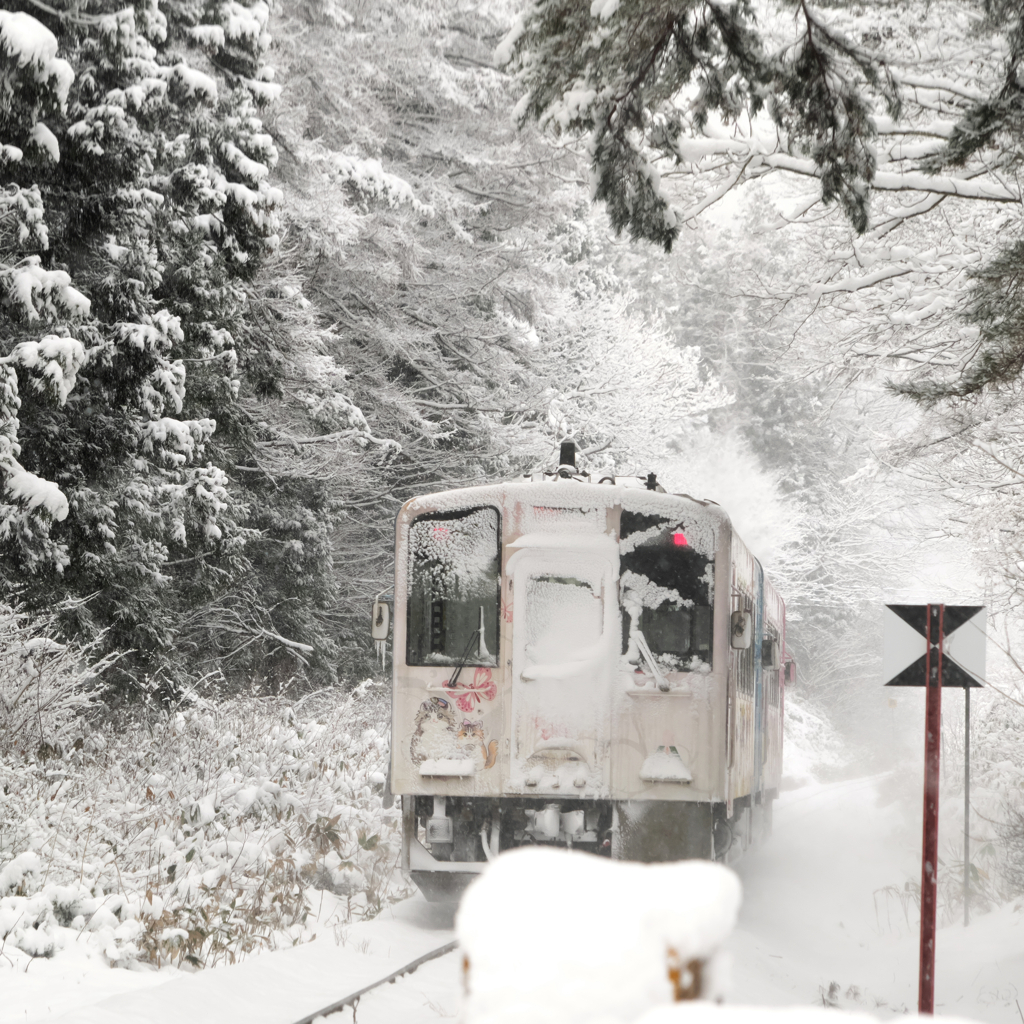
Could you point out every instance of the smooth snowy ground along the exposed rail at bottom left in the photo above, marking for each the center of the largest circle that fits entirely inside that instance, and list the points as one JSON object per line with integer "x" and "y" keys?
{"x": 280, "y": 988}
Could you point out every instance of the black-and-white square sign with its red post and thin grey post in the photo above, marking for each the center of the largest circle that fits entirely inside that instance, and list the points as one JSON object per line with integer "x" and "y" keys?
{"x": 934, "y": 646}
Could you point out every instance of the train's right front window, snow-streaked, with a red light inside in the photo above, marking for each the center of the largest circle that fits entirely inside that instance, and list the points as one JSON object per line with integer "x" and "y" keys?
{"x": 667, "y": 591}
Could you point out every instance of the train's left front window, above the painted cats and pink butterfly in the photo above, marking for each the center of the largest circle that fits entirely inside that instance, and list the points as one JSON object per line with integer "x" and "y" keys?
{"x": 454, "y": 588}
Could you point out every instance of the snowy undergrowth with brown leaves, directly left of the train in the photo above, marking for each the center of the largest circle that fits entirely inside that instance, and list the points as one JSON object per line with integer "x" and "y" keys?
{"x": 202, "y": 835}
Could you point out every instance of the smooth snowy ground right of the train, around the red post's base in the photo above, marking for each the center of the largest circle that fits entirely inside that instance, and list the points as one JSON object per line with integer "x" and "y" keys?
{"x": 822, "y": 920}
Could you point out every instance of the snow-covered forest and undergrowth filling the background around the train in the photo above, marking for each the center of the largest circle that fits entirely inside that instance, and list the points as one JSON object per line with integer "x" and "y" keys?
{"x": 268, "y": 271}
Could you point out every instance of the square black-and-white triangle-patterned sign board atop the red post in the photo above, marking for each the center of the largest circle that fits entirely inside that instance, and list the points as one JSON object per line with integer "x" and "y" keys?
{"x": 905, "y": 648}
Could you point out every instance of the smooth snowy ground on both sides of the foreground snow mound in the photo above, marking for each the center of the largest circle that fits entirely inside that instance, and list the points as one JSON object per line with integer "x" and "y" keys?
{"x": 821, "y": 923}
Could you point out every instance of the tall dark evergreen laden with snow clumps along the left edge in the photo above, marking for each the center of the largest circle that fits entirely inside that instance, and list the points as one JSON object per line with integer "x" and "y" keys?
{"x": 138, "y": 207}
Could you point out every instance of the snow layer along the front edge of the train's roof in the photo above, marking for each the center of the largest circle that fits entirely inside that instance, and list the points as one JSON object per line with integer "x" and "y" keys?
{"x": 703, "y": 519}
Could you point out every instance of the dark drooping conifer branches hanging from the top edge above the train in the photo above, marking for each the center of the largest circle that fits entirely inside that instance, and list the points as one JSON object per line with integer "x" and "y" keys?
{"x": 641, "y": 79}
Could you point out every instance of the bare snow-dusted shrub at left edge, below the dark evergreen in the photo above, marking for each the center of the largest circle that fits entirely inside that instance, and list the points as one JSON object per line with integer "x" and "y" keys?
{"x": 45, "y": 689}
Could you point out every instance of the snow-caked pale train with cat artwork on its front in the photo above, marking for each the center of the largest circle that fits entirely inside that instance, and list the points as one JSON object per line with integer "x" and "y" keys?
{"x": 596, "y": 665}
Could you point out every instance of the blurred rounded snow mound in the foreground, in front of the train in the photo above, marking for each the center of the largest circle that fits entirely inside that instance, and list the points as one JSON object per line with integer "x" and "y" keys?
{"x": 569, "y": 937}
